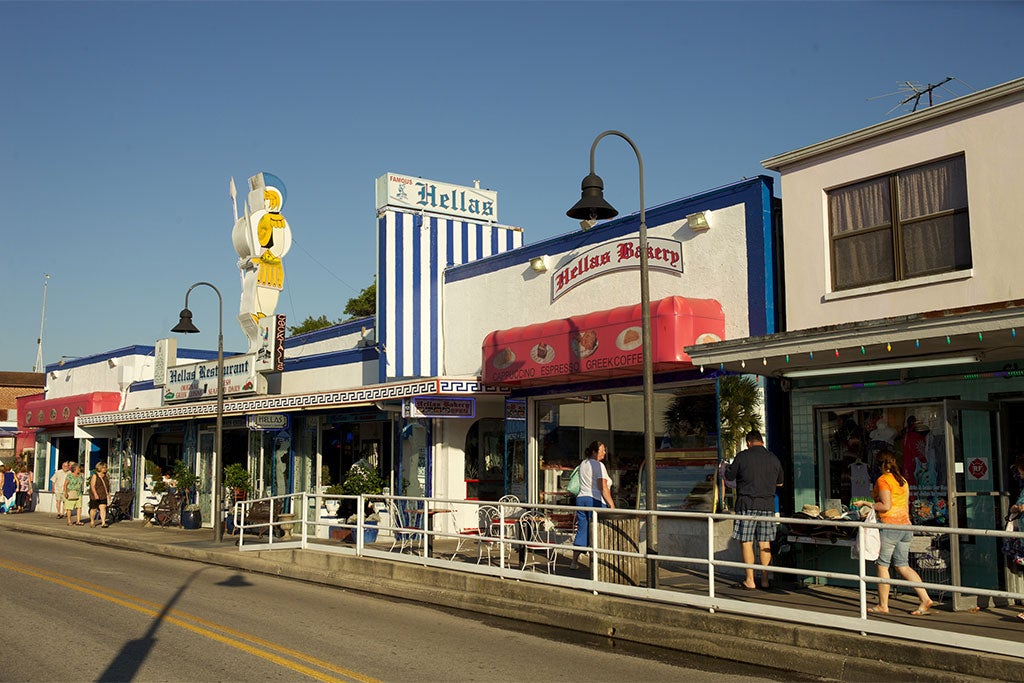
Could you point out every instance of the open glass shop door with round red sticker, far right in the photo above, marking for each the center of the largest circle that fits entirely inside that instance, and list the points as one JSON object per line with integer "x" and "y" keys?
{"x": 976, "y": 496}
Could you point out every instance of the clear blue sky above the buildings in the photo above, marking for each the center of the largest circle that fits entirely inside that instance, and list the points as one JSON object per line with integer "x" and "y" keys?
{"x": 124, "y": 122}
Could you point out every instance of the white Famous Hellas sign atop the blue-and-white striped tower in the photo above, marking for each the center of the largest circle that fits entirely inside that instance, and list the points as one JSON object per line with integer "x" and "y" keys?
{"x": 420, "y": 195}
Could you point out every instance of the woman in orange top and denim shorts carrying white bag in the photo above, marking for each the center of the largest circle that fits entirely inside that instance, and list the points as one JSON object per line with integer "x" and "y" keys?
{"x": 892, "y": 495}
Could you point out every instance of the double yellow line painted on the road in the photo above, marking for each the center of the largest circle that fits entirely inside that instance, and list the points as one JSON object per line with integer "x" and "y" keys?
{"x": 179, "y": 619}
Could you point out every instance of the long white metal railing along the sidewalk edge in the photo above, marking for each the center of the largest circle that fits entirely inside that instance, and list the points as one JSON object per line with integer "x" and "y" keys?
{"x": 312, "y": 535}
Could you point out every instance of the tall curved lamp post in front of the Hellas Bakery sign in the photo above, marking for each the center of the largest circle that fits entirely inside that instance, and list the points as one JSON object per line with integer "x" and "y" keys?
{"x": 592, "y": 207}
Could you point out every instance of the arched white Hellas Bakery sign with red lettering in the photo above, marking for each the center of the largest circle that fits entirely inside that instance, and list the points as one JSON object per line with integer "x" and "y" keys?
{"x": 665, "y": 255}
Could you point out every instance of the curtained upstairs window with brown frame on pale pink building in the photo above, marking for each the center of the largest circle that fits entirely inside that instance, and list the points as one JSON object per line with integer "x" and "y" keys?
{"x": 903, "y": 226}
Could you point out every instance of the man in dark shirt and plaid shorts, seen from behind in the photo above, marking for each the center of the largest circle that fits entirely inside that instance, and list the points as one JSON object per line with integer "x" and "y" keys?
{"x": 758, "y": 474}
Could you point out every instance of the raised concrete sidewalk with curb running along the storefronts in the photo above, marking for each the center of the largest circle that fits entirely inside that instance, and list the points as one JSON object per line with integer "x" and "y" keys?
{"x": 802, "y": 648}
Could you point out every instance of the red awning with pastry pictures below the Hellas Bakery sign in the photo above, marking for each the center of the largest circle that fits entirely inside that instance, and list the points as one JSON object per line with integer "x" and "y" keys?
{"x": 603, "y": 345}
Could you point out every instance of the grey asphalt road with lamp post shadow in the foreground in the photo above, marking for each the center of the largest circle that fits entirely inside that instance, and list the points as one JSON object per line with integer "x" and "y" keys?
{"x": 74, "y": 612}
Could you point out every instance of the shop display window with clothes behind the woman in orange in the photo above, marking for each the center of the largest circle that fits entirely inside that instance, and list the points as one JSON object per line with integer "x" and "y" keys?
{"x": 851, "y": 440}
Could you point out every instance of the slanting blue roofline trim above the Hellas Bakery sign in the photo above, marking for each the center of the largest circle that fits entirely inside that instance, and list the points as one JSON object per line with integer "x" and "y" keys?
{"x": 675, "y": 210}
